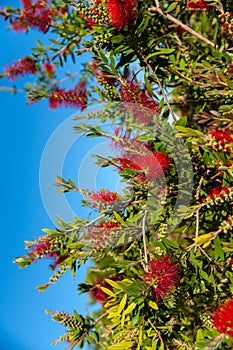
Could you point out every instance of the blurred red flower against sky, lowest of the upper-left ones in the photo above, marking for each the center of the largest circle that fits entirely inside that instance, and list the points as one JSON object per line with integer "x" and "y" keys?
{"x": 68, "y": 98}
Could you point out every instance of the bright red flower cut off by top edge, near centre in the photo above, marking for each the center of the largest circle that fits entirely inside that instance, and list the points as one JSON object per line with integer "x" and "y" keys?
{"x": 121, "y": 12}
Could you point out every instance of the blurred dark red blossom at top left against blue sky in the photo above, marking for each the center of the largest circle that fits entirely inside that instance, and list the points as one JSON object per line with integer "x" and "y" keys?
{"x": 35, "y": 15}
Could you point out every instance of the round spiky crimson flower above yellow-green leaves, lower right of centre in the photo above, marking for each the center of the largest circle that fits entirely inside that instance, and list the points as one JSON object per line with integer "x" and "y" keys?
{"x": 162, "y": 276}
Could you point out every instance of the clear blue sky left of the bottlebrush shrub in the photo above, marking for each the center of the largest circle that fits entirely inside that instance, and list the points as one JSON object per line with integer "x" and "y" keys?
{"x": 25, "y": 132}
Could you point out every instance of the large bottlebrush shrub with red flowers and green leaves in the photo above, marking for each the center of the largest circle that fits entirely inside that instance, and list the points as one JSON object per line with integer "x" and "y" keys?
{"x": 161, "y": 251}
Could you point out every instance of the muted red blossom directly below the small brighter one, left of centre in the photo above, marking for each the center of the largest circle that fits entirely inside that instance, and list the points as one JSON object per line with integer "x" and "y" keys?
{"x": 104, "y": 234}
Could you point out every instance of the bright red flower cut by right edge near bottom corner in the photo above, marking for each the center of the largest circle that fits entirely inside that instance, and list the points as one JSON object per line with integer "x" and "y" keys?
{"x": 223, "y": 317}
